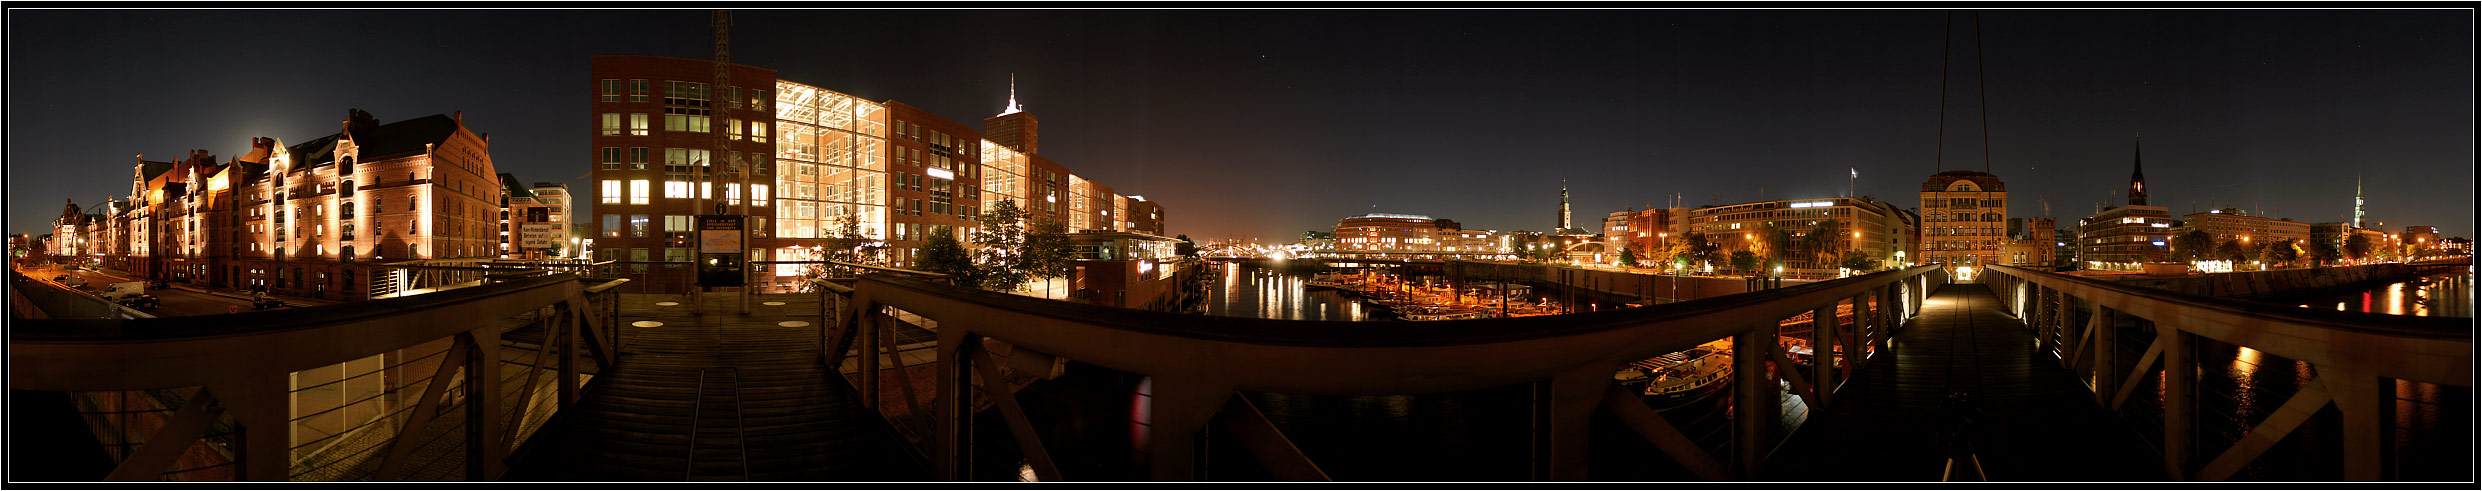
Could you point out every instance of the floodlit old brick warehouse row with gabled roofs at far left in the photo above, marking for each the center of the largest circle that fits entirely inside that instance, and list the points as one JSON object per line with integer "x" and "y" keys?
{"x": 311, "y": 219}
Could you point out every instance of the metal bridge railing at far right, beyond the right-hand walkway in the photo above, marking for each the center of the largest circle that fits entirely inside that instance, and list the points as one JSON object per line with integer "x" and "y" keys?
{"x": 2357, "y": 361}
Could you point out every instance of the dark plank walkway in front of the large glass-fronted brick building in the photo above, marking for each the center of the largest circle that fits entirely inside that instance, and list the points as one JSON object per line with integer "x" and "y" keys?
{"x": 746, "y": 386}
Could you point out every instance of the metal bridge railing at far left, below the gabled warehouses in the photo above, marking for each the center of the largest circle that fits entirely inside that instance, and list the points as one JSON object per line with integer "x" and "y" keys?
{"x": 386, "y": 391}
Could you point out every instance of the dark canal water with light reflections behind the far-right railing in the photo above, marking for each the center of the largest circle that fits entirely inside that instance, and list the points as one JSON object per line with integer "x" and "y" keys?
{"x": 2240, "y": 388}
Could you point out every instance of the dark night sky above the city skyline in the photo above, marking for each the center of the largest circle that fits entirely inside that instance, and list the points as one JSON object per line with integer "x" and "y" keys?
{"x": 1272, "y": 123}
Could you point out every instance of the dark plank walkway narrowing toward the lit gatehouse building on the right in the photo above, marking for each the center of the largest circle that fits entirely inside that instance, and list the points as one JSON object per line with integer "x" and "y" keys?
{"x": 2039, "y": 420}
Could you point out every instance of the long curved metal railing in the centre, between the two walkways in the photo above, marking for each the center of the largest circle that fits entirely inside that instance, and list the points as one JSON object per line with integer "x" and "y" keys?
{"x": 1193, "y": 366}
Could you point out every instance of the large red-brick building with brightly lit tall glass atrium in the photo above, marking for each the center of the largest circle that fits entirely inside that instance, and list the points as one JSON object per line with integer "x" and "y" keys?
{"x": 818, "y": 160}
